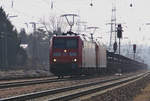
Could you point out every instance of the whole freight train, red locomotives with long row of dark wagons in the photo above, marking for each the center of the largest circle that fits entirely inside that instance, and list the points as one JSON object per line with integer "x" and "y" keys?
{"x": 80, "y": 55}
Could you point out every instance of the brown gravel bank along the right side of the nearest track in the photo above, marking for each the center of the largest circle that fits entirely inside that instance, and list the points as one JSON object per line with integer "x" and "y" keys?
{"x": 125, "y": 93}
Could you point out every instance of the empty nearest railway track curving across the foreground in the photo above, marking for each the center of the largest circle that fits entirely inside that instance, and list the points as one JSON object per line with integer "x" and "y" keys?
{"x": 69, "y": 93}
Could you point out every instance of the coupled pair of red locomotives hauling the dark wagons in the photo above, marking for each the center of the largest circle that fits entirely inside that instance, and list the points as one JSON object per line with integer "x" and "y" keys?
{"x": 76, "y": 55}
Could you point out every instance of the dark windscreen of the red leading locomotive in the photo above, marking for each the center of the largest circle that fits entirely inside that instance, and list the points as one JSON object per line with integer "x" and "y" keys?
{"x": 67, "y": 43}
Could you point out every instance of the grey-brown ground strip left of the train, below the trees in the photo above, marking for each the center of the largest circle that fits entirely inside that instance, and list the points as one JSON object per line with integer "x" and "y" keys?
{"x": 19, "y": 75}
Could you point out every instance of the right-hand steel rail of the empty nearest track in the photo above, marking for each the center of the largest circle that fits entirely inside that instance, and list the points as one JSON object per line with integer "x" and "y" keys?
{"x": 83, "y": 92}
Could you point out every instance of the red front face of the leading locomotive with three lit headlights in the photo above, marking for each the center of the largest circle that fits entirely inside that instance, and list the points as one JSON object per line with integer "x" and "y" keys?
{"x": 65, "y": 56}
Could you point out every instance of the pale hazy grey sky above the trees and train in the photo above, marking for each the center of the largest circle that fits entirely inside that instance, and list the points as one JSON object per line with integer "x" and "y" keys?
{"x": 133, "y": 18}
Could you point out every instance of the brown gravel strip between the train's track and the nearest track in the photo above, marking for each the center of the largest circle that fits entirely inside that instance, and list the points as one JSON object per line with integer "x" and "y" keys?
{"x": 8, "y": 92}
